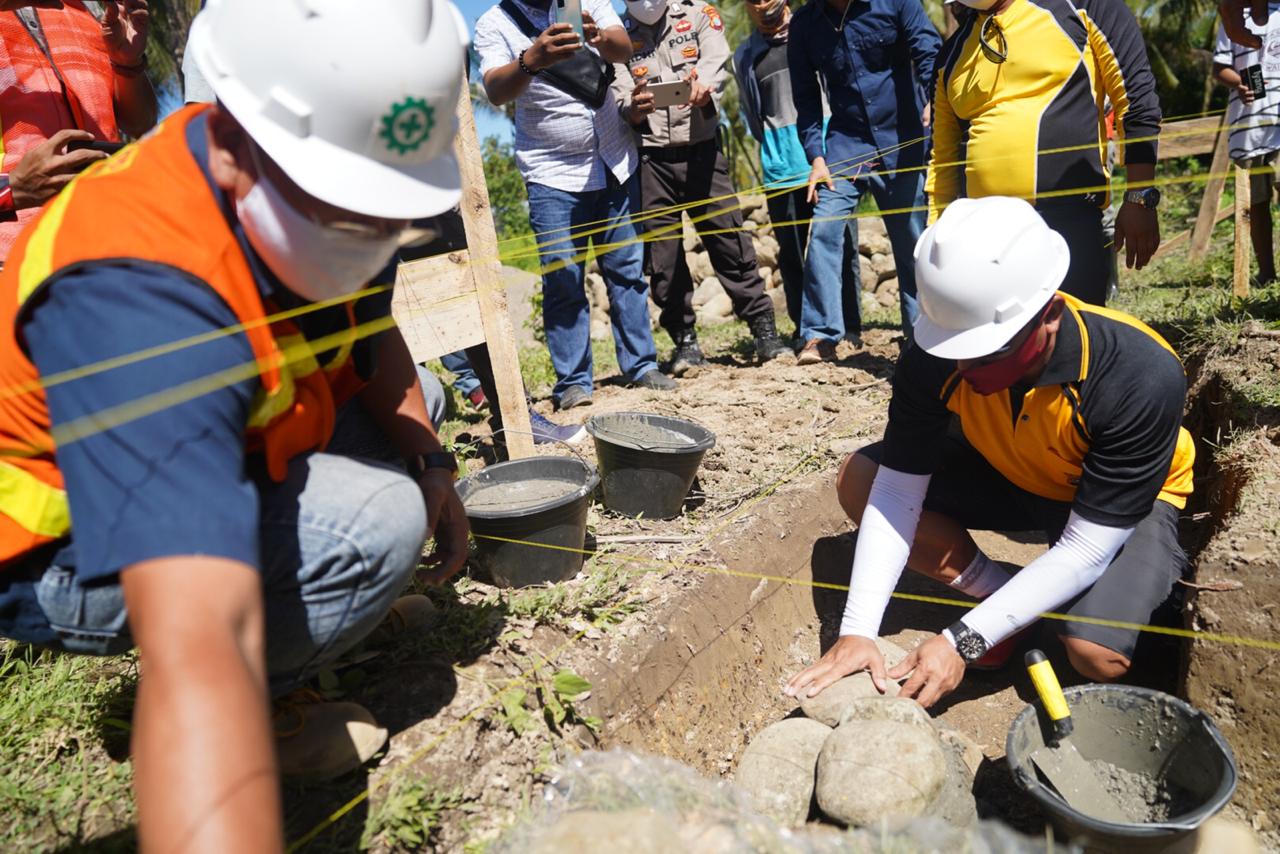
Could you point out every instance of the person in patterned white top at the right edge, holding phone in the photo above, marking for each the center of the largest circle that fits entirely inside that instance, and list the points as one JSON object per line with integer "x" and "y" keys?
{"x": 1252, "y": 116}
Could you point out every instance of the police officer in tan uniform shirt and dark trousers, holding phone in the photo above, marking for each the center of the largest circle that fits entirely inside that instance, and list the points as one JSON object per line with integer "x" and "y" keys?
{"x": 682, "y": 163}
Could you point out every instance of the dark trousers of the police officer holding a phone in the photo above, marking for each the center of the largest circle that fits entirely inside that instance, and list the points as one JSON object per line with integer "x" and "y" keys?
{"x": 680, "y": 177}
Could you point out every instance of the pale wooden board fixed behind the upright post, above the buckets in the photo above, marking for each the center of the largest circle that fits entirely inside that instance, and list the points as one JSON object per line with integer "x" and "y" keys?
{"x": 436, "y": 307}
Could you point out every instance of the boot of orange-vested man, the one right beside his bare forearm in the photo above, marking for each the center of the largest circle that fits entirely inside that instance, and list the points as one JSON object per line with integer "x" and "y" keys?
{"x": 319, "y": 741}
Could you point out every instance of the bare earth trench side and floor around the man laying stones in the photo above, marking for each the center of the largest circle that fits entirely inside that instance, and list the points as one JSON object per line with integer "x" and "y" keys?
{"x": 710, "y": 675}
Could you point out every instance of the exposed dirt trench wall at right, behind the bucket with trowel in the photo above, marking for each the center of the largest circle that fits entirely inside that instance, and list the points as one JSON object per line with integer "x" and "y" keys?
{"x": 1235, "y": 537}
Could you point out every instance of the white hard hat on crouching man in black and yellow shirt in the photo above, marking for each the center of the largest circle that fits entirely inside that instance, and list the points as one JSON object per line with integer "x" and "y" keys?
{"x": 982, "y": 272}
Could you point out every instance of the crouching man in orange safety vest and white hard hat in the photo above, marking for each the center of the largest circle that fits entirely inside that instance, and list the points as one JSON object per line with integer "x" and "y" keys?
{"x": 175, "y": 373}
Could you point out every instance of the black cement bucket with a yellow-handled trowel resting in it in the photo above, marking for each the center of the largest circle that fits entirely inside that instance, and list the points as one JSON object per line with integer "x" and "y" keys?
{"x": 1171, "y": 747}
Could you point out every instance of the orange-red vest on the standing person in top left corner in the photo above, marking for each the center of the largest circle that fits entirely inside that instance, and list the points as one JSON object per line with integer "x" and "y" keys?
{"x": 33, "y": 103}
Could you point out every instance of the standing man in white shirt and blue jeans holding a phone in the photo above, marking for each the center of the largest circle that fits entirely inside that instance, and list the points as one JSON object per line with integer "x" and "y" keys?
{"x": 579, "y": 165}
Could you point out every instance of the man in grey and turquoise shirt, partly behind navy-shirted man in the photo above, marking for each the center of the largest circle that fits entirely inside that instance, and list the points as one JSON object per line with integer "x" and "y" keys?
{"x": 769, "y": 109}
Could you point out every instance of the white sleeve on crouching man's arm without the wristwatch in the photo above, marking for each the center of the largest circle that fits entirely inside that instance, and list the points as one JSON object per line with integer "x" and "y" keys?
{"x": 885, "y": 540}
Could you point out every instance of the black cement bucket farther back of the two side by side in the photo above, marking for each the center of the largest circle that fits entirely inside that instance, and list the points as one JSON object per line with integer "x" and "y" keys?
{"x": 648, "y": 463}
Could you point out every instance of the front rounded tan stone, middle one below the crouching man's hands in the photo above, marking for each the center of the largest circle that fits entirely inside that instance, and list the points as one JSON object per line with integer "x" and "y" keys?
{"x": 871, "y": 770}
